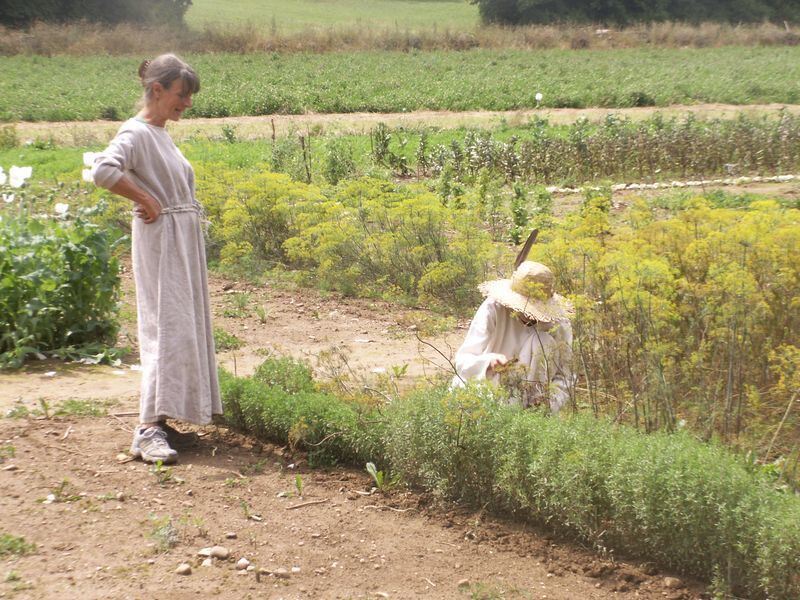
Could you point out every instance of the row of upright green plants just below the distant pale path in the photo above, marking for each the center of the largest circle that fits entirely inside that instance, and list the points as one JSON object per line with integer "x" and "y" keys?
{"x": 617, "y": 149}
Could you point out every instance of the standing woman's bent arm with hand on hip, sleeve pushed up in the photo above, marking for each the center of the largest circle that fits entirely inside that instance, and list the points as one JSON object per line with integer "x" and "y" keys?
{"x": 109, "y": 169}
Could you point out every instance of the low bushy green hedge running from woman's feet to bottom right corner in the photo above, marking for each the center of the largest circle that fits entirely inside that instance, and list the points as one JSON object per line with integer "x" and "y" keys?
{"x": 668, "y": 498}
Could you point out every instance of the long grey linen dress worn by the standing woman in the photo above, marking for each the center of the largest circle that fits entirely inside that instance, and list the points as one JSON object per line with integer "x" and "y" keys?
{"x": 179, "y": 375}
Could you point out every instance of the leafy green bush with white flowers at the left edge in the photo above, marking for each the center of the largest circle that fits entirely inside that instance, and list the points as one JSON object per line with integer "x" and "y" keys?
{"x": 58, "y": 286}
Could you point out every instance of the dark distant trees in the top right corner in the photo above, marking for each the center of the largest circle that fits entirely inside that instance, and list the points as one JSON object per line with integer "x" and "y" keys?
{"x": 624, "y": 12}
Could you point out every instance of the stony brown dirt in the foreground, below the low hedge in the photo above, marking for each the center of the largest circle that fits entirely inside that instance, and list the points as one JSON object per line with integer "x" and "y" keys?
{"x": 120, "y": 530}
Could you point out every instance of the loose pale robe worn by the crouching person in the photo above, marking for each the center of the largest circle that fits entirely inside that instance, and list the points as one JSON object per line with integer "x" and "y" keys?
{"x": 544, "y": 350}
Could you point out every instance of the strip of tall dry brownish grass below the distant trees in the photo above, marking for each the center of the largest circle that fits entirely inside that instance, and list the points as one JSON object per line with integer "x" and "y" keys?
{"x": 249, "y": 36}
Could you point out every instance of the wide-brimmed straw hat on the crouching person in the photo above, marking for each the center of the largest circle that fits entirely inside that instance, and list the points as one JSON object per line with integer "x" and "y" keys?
{"x": 530, "y": 292}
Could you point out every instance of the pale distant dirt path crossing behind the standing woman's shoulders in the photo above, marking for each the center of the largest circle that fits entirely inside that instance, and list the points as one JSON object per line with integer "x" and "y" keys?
{"x": 72, "y": 133}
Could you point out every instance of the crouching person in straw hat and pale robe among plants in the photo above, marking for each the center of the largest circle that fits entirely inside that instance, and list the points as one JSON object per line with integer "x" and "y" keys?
{"x": 521, "y": 321}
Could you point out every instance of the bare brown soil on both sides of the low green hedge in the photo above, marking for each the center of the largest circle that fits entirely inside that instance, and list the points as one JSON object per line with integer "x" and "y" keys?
{"x": 119, "y": 528}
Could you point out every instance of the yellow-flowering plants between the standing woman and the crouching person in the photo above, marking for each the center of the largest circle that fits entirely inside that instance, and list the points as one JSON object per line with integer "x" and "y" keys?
{"x": 365, "y": 237}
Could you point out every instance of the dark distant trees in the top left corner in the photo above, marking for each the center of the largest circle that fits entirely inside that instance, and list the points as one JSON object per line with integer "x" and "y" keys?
{"x": 19, "y": 13}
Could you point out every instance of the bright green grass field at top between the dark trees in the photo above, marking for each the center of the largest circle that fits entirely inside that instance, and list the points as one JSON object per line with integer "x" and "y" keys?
{"x": 302, "y": 14}
